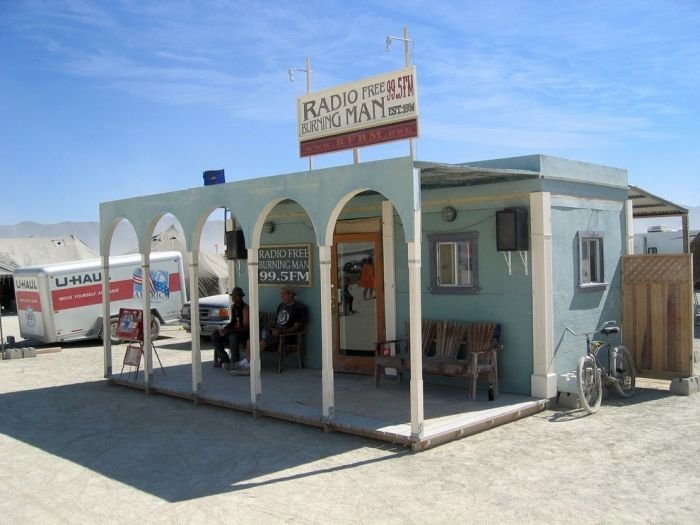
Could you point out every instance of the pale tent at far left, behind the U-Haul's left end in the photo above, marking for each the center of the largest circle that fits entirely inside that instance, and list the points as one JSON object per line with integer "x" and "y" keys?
{"x": 32, "y": 251}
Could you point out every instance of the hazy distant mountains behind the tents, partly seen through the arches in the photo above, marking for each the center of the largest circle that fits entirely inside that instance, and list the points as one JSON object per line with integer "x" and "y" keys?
{"x": 124, "y": 240}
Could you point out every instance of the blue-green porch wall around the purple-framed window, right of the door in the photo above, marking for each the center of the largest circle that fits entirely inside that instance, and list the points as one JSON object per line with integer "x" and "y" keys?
{"x": 502, "y": 298}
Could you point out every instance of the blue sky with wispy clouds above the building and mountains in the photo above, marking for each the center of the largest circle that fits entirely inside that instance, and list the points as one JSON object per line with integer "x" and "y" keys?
{"x": 103, "y": 100}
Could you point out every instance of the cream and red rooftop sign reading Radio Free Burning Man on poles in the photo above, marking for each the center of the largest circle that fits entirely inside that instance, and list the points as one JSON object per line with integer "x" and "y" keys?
{"x": 371, "y": 111}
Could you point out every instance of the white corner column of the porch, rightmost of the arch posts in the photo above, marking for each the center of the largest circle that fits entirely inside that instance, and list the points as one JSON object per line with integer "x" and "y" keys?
{"x": 415, "y": 316}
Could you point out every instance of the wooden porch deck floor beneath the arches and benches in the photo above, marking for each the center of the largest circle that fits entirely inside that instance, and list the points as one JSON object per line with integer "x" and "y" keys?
{"x": 360, "y": 408}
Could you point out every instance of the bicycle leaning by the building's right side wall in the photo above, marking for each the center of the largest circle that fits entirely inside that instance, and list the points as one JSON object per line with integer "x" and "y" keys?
{"x": 591, "y": 374}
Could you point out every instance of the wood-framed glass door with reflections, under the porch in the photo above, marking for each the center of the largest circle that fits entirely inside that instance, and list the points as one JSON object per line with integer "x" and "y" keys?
{"x": 358, "y": 301}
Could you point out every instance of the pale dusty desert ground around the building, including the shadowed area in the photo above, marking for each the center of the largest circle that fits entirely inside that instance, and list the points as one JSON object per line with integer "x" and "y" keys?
{"x": 74, "y": 449}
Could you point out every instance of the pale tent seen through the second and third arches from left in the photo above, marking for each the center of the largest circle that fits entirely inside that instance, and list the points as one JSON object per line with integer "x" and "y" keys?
{"x": 213, "y": 270}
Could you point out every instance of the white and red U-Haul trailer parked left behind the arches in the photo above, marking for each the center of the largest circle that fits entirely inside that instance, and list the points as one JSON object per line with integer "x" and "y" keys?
{"x": 63, "y": 301}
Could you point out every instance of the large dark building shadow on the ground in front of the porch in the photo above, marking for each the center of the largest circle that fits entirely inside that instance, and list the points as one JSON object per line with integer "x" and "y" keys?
{"x": 171, "y": 449}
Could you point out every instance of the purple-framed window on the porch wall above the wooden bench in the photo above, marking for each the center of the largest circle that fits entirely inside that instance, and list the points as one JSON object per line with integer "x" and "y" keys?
{"x": 453, "y": 267}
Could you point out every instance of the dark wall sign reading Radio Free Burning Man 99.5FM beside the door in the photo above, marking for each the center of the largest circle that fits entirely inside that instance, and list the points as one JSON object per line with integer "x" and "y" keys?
{"x": 288, "y": 264}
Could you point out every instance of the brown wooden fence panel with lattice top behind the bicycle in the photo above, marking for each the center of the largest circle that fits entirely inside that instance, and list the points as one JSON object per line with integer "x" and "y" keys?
{"x": 657, "y": 313}
